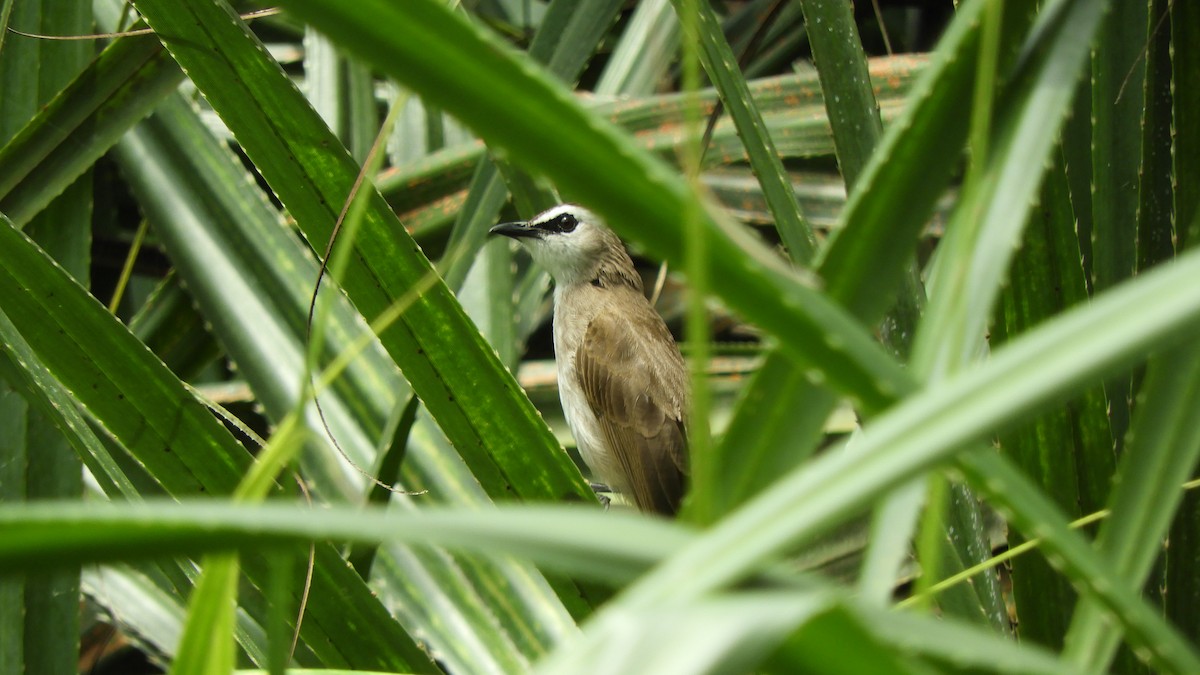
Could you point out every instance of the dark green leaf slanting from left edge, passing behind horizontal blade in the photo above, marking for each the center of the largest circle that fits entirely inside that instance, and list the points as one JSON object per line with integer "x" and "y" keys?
{"x": 173, "y": 435}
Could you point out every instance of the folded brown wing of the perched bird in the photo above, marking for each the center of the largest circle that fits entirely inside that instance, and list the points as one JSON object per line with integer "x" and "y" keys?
{"x": 635, "y": 380}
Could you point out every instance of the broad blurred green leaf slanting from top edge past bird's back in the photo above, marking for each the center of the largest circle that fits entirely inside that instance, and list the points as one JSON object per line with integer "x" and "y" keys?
{"x": 524, "y": 114}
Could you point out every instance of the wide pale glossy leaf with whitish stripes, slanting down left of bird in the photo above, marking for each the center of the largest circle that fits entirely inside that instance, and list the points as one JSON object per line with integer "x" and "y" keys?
{"x": 253, "y": 280}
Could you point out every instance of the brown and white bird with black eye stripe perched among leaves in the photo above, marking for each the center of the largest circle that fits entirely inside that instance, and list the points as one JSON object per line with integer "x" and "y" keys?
{"x": 622, "y": 381}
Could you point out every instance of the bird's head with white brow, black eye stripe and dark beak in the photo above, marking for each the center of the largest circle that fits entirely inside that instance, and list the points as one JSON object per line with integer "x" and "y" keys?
{"x": 569, "y": 242}
